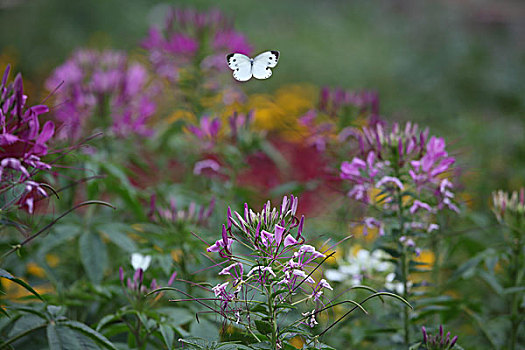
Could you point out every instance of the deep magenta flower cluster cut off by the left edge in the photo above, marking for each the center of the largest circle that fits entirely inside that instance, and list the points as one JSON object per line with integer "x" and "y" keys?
{"x": 23, "y": 142}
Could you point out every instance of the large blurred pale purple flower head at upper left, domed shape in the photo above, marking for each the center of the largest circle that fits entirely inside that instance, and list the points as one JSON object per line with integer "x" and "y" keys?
{"x": 102, "y": 89}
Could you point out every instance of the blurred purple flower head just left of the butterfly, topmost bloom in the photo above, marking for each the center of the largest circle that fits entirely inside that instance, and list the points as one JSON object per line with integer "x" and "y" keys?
{"x": 189, "y": 36}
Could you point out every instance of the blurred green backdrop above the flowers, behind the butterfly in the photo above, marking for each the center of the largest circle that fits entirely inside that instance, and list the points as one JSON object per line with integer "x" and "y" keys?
{"x": 456, "y": 66}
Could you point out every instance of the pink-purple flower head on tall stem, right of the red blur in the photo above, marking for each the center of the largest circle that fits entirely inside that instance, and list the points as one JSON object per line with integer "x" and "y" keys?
{"x": 398, "y": 160}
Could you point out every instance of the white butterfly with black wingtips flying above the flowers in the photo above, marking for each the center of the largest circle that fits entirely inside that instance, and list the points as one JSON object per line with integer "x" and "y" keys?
{"x": 245, "y": 67}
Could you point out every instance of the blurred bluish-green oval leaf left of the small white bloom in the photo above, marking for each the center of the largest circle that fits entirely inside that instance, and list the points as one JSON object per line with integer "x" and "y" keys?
{"x": 94, "y": 256}
